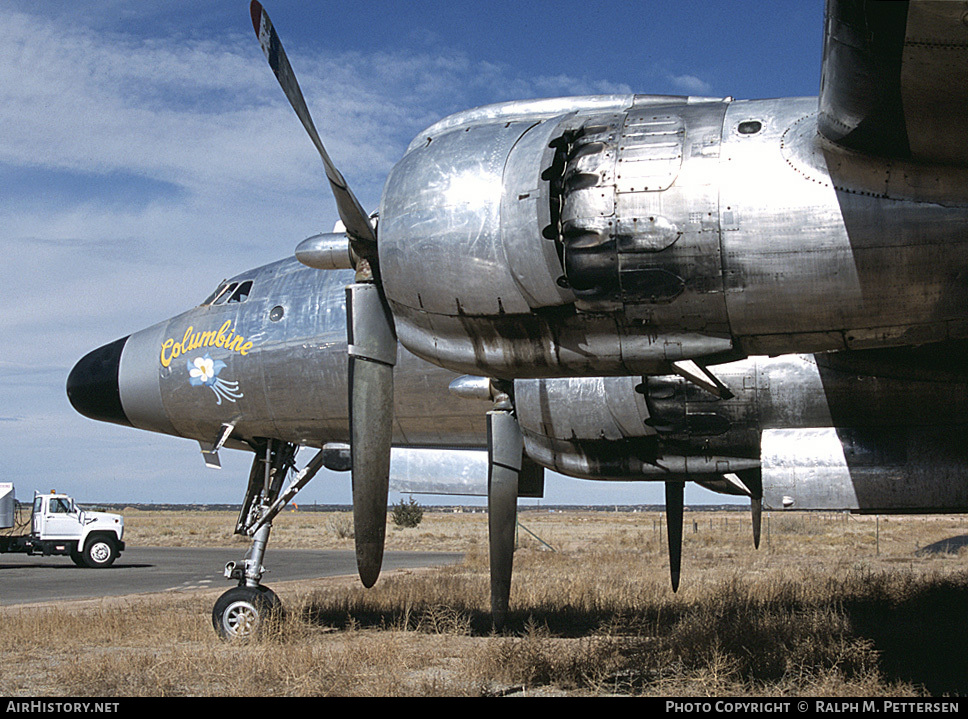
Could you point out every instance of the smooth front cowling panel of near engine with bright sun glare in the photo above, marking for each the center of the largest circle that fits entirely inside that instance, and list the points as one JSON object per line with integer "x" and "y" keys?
{"x": 440, "y": 225}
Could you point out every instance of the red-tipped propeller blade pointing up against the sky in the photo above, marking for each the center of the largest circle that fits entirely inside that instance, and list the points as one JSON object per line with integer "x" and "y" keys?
{"x": 355, "y": 219}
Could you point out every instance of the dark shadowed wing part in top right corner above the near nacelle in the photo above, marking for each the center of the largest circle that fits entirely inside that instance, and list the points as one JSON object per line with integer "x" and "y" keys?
{"x": 895, "y": 79}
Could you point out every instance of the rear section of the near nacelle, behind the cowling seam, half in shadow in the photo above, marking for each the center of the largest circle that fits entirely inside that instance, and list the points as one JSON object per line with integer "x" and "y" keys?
{"x": 824, "y": 250}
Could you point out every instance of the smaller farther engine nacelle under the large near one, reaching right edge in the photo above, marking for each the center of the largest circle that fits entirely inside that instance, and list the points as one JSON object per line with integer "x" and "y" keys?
{"x": 875, "y": 431}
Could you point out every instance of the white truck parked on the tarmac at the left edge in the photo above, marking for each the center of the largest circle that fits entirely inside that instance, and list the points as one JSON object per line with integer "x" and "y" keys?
{"x": 59, "y": 526}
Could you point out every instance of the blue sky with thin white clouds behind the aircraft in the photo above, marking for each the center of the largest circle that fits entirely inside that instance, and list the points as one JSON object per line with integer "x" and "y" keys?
{"x": 146, "y": 153}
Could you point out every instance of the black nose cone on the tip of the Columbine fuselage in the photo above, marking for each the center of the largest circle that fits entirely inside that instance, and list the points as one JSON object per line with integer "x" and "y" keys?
{"x": 92, "y": 386}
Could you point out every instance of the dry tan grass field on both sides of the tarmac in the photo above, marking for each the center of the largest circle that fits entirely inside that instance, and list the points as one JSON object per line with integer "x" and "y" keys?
{"x": 828, "y": 606}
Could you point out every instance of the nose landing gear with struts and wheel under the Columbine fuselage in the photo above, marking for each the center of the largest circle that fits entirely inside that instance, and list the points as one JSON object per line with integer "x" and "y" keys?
{"x": 241, "y": 612}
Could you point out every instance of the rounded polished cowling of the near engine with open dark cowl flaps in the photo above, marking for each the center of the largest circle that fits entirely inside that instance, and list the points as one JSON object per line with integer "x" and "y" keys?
{"x": 534, "y": 239}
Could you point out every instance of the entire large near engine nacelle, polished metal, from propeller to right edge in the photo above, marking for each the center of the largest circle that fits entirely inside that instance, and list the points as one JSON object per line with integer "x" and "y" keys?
{"x": 618, "y": 234}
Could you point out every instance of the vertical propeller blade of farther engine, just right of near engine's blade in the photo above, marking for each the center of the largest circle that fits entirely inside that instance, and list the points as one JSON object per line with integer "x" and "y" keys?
{"x": 505, "y": 450}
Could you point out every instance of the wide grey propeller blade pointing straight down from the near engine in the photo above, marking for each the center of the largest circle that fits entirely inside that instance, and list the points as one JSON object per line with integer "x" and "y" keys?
{"x": 372, "y": 349}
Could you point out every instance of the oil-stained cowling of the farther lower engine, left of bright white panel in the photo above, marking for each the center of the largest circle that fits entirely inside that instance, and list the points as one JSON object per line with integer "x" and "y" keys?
{"x": 606, "y": 428}
